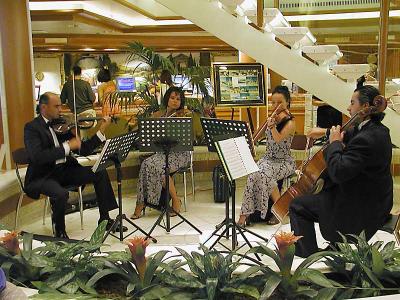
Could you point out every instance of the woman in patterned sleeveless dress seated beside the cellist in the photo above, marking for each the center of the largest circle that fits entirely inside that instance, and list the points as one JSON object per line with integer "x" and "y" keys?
{"x": 275, "y": 165}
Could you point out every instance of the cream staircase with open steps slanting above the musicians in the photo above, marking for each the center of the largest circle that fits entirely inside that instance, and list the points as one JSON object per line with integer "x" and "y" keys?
{"x": 288, "y": 51}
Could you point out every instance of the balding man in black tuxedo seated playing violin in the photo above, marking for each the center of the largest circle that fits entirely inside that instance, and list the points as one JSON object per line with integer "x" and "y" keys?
{"x": 51, "y": 167}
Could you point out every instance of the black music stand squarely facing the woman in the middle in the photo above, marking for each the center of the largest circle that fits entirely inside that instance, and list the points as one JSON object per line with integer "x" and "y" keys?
{"x": 166, "y": 135}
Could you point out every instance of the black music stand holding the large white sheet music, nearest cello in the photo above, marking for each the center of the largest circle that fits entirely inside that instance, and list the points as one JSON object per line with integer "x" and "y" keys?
{"x": 215, "y": 130}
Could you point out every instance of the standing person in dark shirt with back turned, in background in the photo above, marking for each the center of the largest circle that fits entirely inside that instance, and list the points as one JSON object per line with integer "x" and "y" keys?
{"x": 84, "y": 97}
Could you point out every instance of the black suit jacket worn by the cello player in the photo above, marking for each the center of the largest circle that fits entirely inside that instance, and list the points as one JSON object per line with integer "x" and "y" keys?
{"x": 358, "y": 192}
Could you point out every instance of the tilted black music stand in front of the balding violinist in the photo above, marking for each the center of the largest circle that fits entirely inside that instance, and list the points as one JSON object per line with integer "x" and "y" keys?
{"x": 114, "y": 152}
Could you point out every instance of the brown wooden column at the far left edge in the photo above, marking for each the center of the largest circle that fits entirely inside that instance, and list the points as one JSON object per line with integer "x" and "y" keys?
{"x": 16, "y": 82}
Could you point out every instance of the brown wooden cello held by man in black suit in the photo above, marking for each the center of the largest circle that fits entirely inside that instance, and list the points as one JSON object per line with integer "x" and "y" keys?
{"x": 309, "y": 180}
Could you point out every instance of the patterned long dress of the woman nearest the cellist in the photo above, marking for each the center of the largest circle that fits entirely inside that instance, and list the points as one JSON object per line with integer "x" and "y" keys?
{"x": 275, "y": 165}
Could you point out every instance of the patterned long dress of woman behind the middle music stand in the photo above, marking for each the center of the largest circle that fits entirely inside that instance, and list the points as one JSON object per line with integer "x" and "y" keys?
{"x": 152, "y": 174}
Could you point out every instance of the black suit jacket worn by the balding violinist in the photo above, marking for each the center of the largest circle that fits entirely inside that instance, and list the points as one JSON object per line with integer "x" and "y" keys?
{"x": 43, "y": 154}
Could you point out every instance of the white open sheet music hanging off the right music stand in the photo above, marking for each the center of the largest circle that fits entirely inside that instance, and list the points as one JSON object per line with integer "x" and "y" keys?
{"x": 236, "y": 157}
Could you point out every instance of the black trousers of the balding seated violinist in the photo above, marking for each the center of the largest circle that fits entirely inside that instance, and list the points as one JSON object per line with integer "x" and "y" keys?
{"x": 67, "y": 175}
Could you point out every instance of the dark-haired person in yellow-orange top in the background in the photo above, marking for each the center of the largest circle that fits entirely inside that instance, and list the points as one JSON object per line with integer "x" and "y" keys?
{"x": 105, "y": 89}
